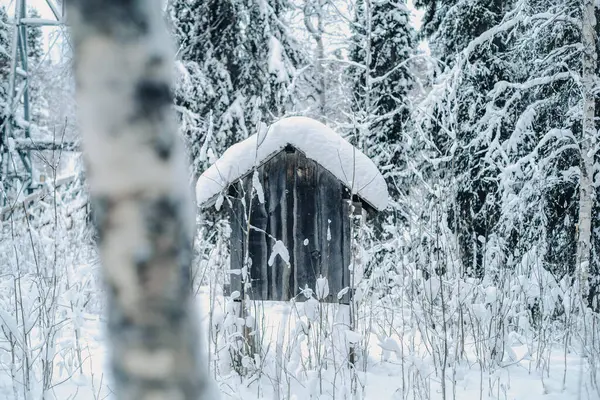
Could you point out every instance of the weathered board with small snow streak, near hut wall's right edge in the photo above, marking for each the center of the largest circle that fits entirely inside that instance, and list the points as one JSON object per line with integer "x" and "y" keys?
{"x": 329, "y": 200}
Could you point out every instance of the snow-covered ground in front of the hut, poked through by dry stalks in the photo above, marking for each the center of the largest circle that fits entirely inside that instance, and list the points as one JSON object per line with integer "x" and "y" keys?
{"x": 392, "y": 371}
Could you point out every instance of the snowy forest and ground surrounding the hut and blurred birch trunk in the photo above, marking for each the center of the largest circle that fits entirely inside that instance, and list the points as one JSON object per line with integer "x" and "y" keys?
{"x": 481, "y": 279}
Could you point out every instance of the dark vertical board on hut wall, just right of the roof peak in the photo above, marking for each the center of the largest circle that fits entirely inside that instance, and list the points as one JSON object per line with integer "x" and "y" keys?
{"x": 307, "y": 257}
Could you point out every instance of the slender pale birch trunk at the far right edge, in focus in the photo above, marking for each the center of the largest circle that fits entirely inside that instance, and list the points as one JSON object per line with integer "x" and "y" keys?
{"x": 587, "y": 146}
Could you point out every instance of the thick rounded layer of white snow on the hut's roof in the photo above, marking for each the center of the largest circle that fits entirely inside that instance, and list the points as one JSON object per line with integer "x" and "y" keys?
{"x": 318, "y": 143}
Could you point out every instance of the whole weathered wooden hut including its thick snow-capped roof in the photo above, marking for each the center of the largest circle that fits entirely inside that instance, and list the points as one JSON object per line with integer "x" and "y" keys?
{"x": 290, "y": 190}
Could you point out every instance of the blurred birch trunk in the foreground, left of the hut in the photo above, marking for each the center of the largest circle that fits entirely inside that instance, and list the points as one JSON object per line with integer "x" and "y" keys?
{"x": 140, "y": 193}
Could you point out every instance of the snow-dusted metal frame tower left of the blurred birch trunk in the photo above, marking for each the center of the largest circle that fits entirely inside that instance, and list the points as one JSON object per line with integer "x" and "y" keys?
{"x": 16, "y": 142}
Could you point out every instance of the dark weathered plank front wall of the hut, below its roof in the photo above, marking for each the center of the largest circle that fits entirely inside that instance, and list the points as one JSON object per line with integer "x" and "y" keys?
{"x": 303, "y": 201}
